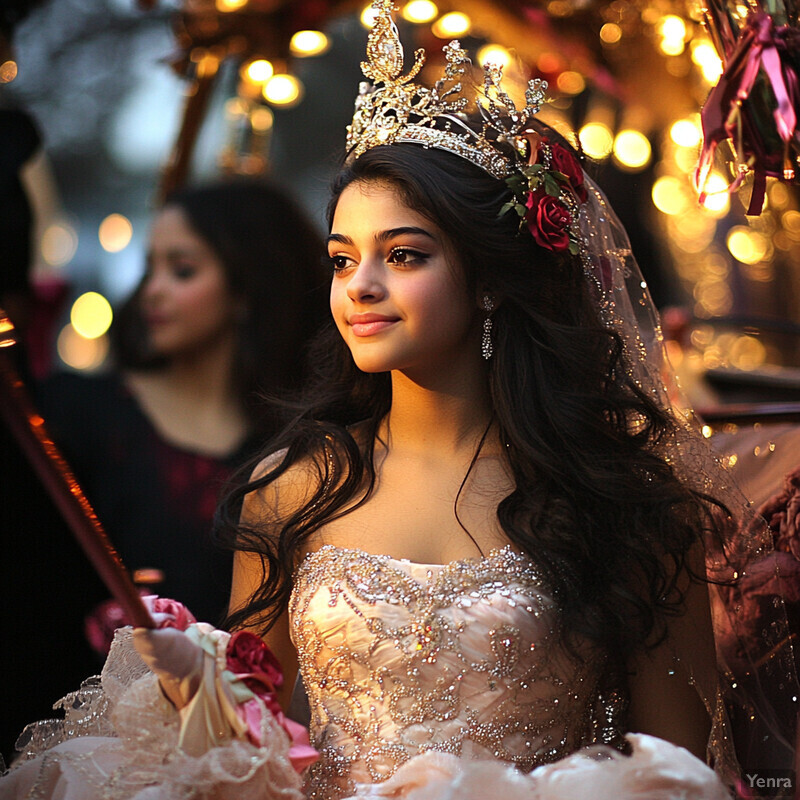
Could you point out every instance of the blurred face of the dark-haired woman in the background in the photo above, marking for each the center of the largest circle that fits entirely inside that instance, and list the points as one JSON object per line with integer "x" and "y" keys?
{"x": 185, "y": 300}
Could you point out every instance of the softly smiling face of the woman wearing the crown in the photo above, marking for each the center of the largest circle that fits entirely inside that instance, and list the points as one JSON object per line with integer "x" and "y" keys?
{"x": 397, "y": 296}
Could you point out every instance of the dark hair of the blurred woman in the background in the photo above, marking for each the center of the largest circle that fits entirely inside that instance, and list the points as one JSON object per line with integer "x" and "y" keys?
{"x": 270, "y": 252}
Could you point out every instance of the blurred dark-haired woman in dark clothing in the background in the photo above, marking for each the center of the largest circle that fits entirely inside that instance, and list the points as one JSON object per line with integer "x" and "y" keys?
{"x": 232, "y": 294}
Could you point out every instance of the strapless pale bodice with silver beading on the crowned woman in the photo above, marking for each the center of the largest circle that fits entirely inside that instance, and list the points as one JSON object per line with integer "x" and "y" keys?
{"x": 399, "y": 658}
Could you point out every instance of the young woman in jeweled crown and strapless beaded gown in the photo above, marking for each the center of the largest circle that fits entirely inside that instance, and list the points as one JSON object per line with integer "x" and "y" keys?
{"x": 479, "y": 539}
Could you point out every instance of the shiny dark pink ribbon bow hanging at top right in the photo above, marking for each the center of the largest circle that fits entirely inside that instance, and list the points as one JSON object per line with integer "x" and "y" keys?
{"x": 760, "y": 47}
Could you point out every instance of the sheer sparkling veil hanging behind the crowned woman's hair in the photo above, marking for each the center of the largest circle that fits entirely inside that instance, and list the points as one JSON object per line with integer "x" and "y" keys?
{"x": 753, "y": 698}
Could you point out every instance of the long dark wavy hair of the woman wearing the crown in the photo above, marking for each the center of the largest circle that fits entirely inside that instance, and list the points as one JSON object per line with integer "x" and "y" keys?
{"x": 595, "y": 506}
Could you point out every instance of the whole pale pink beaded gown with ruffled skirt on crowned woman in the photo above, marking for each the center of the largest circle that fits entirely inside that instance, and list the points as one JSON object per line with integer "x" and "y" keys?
{"x": 426, "y": 682}
